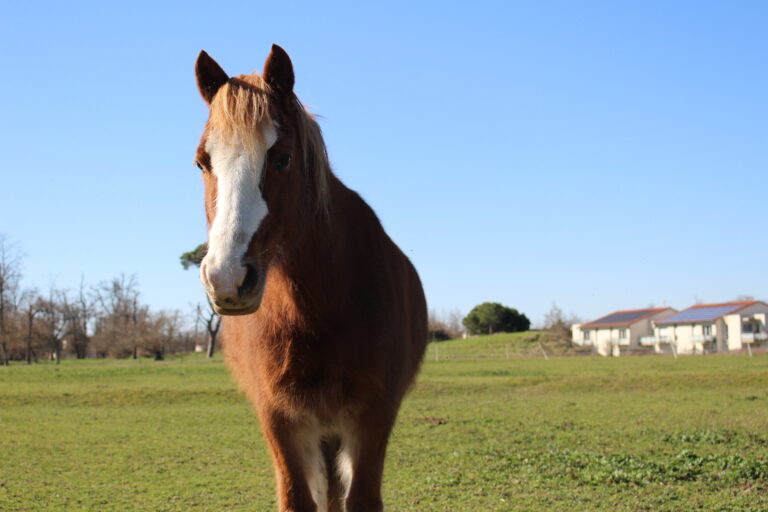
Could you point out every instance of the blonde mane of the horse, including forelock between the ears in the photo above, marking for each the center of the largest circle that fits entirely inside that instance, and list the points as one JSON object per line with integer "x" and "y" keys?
{"x": 242, "y": 106}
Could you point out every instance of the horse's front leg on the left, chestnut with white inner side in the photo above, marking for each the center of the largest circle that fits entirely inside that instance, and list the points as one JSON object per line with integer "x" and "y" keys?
{"x": 297, "y": 458}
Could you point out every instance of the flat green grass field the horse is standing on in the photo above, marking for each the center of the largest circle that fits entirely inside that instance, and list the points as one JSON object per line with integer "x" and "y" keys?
{"x": 566, "y": 434}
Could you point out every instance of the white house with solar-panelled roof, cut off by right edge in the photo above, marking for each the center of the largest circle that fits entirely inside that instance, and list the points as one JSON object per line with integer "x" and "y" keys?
{"x": 711, "y": 328}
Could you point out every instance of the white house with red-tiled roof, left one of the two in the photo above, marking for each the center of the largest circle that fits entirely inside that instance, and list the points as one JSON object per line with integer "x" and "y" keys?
{"x": 619, "y": 330}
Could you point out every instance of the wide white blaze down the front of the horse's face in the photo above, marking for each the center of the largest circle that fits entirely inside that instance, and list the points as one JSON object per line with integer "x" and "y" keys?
{"x": 240, "y": 209}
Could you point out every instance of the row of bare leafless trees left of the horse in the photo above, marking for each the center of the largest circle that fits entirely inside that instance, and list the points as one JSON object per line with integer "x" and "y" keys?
{"x": 108, "y": 319}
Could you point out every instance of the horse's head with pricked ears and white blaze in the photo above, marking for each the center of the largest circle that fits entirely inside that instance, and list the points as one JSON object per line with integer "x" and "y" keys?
{"x": 253, "y": 156}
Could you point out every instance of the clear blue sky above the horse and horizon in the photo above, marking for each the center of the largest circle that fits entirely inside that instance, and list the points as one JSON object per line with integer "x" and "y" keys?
{"x": 597, "y": 155}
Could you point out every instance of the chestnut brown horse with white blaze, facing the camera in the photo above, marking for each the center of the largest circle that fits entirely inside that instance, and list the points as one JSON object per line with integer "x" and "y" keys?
{"x": 325, "y": 323}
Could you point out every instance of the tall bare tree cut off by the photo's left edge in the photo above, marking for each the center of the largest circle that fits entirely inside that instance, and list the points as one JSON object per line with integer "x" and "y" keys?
{"x": 10, "y": 277}
